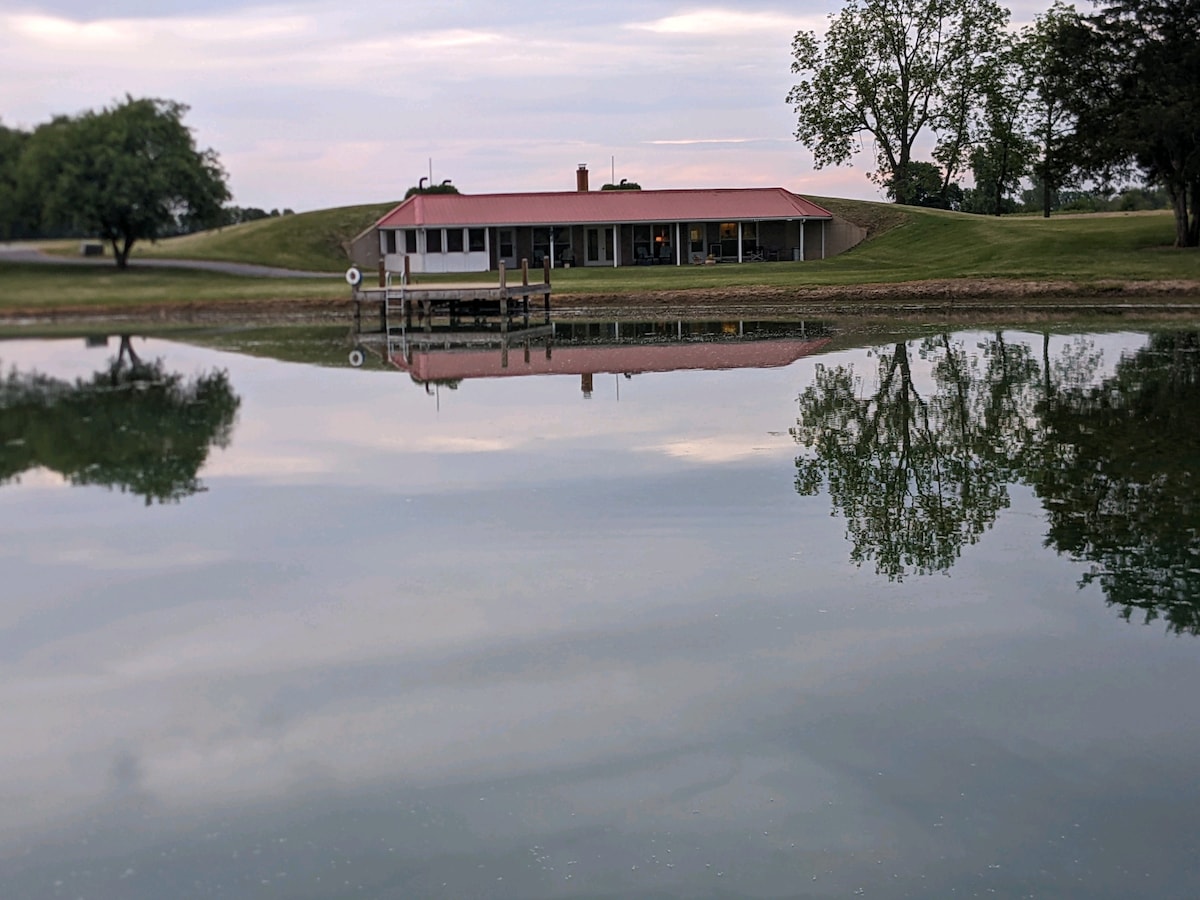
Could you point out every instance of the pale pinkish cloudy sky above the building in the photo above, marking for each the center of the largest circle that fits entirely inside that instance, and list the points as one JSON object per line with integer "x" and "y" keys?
{"x": 316, "y": 105}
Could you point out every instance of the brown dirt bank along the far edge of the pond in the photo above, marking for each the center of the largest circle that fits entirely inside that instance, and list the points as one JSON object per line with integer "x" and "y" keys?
{"x": 949, "y": 299}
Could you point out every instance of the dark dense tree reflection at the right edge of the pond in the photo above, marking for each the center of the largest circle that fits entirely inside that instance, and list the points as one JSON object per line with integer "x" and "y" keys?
{"x": 1123, "y": 484}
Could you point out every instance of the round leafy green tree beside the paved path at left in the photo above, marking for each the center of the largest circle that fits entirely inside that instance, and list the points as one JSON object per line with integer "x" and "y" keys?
{"x": 127, "y": 173}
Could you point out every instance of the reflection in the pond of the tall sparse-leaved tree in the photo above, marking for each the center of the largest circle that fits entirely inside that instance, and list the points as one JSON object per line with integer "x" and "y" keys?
{"x": 916, "y": 475}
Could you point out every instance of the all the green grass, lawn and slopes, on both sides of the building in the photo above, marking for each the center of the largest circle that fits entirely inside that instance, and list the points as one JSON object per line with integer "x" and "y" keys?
{"x": 911, "y": 245}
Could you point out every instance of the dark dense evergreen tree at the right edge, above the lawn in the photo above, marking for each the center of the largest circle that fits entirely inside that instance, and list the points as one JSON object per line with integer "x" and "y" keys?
{"x": 1136, "y": 95}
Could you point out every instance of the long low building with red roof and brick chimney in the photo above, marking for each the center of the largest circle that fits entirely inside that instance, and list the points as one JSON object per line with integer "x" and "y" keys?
{"x": 475, "y": 233}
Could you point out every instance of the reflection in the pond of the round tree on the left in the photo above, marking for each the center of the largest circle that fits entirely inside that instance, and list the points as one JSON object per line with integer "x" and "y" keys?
{"x": 133, "y": 427}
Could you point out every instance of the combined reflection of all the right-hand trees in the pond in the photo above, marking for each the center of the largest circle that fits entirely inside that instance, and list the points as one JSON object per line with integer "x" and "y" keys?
{"x": 920, "y": 461}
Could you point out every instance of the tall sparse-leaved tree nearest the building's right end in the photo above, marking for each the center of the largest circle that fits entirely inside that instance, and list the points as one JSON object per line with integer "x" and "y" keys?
{"x": 895, "y": 70}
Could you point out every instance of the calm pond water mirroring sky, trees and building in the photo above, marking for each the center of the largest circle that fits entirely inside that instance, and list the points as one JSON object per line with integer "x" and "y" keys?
{"x": 719, "y": 619}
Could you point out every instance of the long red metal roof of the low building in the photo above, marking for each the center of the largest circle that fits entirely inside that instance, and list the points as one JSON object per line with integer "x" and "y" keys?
{"x": 602, "y": 208}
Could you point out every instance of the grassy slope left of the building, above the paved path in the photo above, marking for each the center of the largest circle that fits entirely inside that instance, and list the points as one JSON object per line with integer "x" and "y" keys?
{"x": 307, "y": 241}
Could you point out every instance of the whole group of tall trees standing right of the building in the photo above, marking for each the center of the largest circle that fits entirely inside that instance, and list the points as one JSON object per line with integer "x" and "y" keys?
{"x": 1071, "y": 104}
